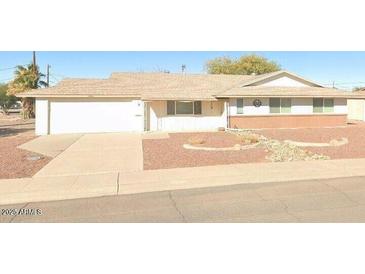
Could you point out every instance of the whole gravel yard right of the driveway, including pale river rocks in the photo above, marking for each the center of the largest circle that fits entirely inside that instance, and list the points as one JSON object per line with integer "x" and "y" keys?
{"x": 169, "y": 152}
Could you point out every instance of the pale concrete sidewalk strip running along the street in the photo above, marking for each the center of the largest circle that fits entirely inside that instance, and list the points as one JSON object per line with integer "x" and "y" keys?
{"x": 51, "y": 188}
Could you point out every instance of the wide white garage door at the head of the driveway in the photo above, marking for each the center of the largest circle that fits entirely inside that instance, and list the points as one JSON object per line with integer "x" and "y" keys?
{"x": 91, "y": 115}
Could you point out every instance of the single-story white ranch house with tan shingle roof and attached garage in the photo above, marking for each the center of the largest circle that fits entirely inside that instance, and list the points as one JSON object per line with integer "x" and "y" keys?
{"x": 183, "y": 102}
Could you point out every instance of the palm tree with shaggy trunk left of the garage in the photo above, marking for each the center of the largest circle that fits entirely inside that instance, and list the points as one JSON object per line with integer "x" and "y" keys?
{"x": 26, "y": 78}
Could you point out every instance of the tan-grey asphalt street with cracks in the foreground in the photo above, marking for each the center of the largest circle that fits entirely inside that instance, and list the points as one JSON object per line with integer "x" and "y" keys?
{"x": 330, "y": 200}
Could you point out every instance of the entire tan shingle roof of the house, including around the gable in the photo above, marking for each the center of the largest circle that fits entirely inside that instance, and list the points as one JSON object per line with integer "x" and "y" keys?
{"x": 165, "y": 86}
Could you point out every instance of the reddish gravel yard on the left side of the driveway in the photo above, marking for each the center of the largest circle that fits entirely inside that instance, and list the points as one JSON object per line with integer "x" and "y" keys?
{"x": 14, "y": 162}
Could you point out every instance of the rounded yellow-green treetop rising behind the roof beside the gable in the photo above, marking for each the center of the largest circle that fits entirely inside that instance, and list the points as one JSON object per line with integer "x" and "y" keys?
{"x": 245, "y": 65}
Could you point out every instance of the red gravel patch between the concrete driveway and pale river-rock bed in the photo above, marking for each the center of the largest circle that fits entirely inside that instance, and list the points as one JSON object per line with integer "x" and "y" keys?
{"x": 169, "y": 153}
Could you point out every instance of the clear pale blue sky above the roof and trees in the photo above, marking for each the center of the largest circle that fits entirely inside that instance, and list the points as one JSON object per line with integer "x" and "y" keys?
{"x": 345, "y": 69}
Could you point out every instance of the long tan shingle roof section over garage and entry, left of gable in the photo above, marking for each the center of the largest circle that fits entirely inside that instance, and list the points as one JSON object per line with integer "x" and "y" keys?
{"x": 148, "y": 86}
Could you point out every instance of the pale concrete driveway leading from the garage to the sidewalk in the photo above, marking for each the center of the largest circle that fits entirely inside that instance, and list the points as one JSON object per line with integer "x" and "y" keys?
{"x": 96, "y": 154}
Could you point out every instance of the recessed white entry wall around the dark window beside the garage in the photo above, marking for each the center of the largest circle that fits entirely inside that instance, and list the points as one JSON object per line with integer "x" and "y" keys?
{"x": 213, "y": 116}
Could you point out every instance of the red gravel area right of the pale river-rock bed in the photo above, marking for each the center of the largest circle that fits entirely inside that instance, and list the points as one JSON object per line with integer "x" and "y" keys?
{"x": 355, "y": 133}
